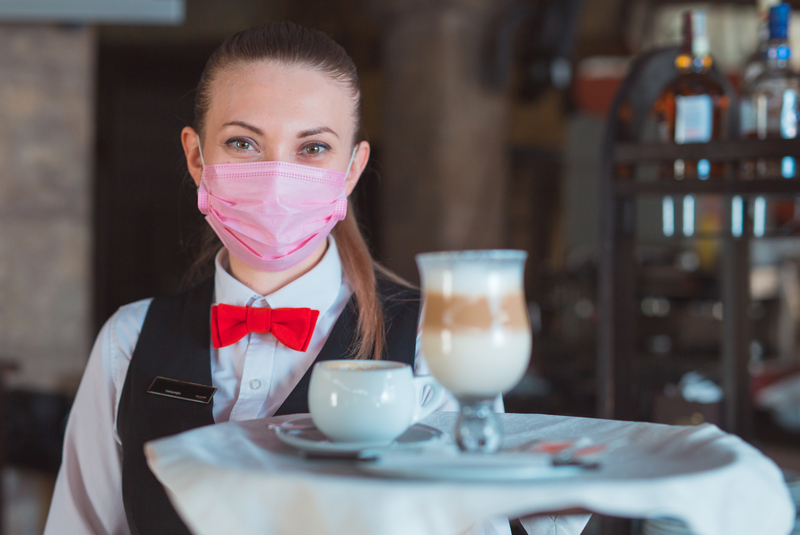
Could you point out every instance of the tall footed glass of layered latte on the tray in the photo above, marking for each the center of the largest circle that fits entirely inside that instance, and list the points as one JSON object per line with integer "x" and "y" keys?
{"x": 475, "y": 333}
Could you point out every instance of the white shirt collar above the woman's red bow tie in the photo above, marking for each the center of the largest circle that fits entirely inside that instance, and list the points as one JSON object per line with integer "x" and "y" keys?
{"x": 317, "y": 289}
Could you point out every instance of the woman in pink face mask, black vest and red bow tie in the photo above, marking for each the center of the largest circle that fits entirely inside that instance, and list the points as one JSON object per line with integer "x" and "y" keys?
{"x": 277, "y": 116}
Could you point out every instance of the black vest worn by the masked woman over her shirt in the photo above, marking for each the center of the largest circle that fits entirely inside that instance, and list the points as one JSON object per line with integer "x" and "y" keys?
{"x": 175, "y": 343}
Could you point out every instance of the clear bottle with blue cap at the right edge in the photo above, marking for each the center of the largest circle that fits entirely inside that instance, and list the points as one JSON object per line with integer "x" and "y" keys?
{"x": 773, "y": 96}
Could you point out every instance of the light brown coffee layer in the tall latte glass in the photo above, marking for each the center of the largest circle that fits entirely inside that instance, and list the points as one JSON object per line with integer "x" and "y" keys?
{"x": 470, "y": 312}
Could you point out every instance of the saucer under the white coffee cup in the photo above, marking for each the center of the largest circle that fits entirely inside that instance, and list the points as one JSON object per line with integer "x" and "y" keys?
{"x": 303, "y": 434}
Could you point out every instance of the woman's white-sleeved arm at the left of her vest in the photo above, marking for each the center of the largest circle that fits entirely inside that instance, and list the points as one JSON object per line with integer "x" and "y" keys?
{"x": 88, "y": 494}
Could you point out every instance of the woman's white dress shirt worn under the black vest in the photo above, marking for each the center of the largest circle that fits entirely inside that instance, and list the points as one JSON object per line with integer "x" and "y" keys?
{"x": 253, "y": 377}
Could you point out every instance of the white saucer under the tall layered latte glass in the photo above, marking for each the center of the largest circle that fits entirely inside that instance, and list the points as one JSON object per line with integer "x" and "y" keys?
{"x": 456, "y": 466}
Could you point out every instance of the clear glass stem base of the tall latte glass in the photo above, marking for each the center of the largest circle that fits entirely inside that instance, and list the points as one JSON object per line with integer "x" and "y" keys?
{"x": 477, "y": 428}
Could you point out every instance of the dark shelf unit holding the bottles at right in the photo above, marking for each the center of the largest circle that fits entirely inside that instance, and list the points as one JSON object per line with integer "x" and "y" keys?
{"x": 617, "y": 338}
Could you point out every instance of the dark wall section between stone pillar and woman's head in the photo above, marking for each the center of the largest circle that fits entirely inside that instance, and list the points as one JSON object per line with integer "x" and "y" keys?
{"x": 145, "y": 205}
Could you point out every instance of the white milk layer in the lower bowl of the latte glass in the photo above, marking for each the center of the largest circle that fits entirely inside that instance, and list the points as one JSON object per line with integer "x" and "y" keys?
{"x": 480, "y": 364}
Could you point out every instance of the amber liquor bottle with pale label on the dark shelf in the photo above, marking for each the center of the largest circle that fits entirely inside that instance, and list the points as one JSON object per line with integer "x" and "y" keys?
{"x": 693, "y": 108}
